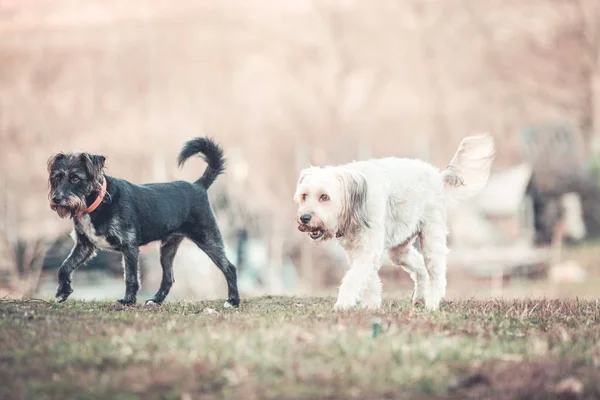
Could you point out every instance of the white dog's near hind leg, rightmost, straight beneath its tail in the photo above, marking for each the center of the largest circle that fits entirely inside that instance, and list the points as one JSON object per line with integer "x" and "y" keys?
{"x": 435, "y": 251}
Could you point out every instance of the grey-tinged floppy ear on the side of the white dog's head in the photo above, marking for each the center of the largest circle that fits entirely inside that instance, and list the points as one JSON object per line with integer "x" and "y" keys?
{"x": 354, "y": 213}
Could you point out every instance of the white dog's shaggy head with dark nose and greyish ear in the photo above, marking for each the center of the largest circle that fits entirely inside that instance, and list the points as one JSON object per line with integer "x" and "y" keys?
{"x": 332, "y": 202}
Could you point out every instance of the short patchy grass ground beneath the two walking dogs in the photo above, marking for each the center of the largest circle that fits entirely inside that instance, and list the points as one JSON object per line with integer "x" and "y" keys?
{"x": 292, "y": 348}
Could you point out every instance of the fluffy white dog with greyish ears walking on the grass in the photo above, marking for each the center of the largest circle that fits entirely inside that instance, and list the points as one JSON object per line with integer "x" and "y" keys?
{"x": 383, "y": 205}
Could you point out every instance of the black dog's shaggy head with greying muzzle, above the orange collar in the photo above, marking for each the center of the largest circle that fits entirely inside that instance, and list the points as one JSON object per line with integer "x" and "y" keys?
{"x": 72, "y": 178}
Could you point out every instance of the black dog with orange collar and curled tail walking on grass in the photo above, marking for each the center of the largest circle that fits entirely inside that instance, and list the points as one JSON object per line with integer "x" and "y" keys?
{"x": 113, "y": 214}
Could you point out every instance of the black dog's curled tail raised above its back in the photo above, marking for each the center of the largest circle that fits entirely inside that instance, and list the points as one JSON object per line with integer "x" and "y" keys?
{"x": 210, "y": 152}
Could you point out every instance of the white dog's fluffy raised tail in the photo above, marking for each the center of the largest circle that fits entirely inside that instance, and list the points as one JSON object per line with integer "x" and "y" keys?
{"x": 469, "y": 169}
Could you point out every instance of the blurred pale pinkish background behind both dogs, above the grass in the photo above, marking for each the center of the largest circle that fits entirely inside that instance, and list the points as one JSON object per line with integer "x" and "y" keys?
{"x": 285, "y": 84}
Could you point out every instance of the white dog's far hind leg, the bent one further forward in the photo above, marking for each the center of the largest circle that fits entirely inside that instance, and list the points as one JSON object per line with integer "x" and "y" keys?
{"x": 412, "y": 262}
